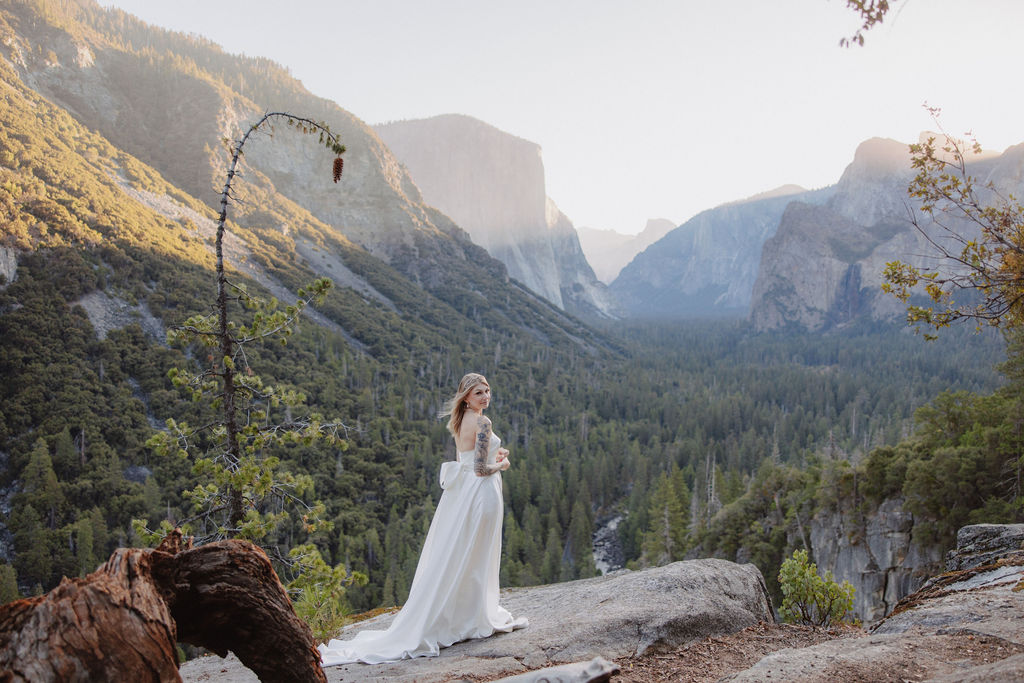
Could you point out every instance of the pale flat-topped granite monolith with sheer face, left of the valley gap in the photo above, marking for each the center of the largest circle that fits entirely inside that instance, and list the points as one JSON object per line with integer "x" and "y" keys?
{"x": 492, "y": 185}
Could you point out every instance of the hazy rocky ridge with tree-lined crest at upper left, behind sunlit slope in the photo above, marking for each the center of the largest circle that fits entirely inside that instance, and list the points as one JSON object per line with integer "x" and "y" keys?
{"x": 169, "y": 100}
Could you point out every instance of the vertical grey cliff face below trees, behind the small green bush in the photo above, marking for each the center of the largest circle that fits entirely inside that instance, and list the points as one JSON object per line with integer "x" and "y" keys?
{"x": 877, "y": 554}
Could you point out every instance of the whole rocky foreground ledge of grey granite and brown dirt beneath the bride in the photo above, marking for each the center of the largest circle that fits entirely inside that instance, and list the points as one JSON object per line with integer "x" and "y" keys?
{"x": 711, "y": 621}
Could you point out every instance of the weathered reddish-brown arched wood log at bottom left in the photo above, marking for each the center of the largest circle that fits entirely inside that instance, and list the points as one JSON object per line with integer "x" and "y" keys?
{"x": 122, "y": 622}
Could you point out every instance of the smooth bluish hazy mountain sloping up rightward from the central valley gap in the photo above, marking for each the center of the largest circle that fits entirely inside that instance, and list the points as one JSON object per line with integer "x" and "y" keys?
{"x": 707, "y": 267}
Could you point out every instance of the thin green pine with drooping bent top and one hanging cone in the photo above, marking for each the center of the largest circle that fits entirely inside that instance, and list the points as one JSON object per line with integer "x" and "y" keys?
{"x": 240, "y": 487}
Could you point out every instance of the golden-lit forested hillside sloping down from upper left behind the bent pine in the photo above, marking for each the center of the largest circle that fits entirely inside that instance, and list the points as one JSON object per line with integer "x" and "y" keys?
{"x": 98, "y": 242}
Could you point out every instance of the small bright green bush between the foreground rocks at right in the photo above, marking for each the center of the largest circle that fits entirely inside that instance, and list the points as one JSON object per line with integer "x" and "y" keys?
{"x": 807, "y": 597}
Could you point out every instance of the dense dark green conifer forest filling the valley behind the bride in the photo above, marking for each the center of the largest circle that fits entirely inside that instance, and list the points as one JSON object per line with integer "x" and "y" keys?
{"x": 688, "y": 430}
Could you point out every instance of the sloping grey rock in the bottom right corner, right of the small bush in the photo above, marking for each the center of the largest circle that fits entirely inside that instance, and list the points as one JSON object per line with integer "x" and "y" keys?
{"x": 963, "y": 626}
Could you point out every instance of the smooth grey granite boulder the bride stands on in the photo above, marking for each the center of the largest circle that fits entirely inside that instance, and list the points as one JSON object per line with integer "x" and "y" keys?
{"x": 623, "y": 614}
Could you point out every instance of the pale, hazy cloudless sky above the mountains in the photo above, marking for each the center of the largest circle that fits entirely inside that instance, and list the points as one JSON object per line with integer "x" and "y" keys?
{"x": 647, "y": 109}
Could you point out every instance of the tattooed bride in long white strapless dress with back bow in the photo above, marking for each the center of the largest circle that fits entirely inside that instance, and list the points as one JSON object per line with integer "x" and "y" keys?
{"x": 455, "y": 591}
